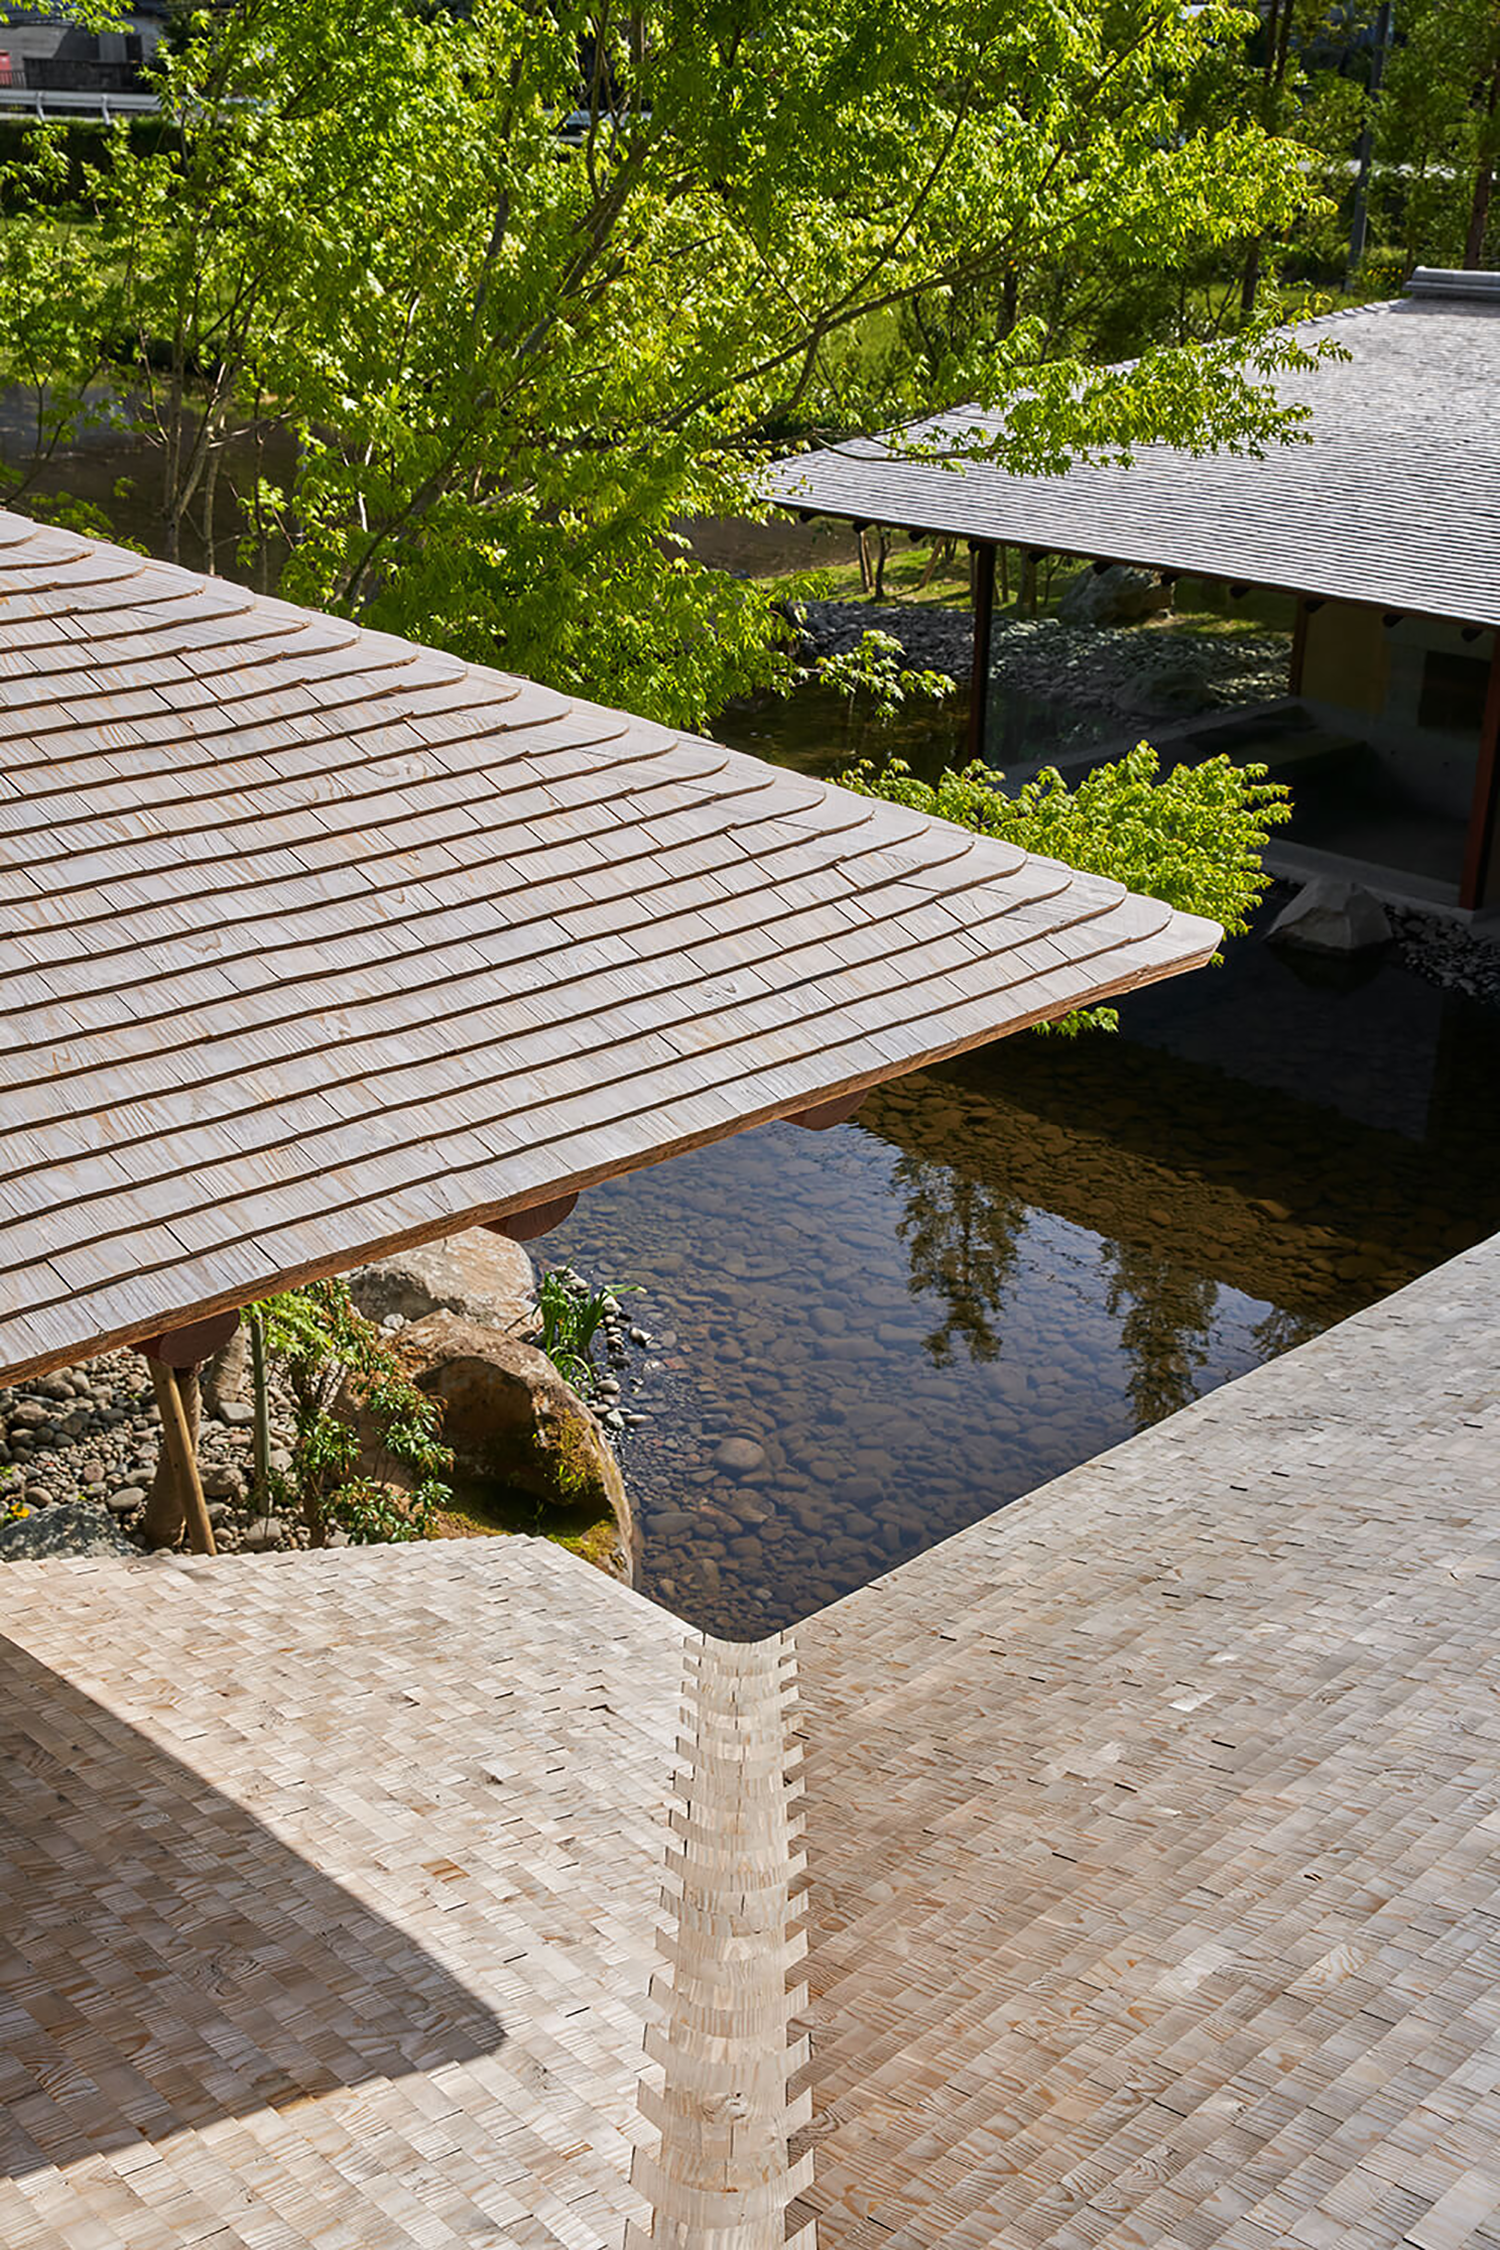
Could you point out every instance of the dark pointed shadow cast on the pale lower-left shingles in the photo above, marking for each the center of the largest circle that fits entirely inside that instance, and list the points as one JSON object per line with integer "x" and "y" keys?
{"x": 165, "y": 1961}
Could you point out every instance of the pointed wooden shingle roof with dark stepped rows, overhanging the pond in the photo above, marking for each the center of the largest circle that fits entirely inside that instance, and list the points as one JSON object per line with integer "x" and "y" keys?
{"x": 316, "y": 944}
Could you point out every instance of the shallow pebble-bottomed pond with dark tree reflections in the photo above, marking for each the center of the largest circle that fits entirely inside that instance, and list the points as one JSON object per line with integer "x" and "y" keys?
{"x": 1020, "y": 1259}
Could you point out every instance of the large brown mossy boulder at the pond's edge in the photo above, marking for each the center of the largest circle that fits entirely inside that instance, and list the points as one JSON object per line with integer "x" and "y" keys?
{"x": 512, "y": 1419}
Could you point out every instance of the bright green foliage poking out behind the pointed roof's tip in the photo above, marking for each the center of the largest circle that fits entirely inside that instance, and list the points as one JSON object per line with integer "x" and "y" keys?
{"x": 1191, "y": 838}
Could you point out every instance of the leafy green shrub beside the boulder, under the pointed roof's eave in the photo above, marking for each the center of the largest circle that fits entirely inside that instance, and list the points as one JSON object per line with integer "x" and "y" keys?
{"x": 323, "y": 1349}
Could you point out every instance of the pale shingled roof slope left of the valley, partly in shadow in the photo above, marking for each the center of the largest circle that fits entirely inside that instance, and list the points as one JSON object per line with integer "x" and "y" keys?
{"x": 332, "y": 1900}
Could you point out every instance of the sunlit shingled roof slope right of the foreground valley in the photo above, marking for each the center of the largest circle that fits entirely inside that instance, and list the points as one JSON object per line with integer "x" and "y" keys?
{"x": 1155, "y": 1830}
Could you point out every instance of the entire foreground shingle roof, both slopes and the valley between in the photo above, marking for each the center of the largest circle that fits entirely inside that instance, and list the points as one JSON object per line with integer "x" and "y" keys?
{"x": 455, "y": 1896}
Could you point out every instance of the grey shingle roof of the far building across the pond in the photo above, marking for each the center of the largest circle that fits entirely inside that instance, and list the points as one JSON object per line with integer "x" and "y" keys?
{"x": 1395, "y": 501}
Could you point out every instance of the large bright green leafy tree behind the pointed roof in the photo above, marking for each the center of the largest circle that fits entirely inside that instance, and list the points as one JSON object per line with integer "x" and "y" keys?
{"x": 433, "y": 361}
